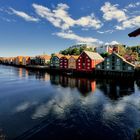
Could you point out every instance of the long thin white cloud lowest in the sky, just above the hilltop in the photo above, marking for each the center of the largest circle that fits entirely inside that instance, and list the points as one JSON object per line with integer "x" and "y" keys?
{"x": 72, "y": 36}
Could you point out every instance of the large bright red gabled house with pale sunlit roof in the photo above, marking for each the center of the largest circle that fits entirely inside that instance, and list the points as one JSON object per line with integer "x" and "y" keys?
{"x": 88, "y": 60}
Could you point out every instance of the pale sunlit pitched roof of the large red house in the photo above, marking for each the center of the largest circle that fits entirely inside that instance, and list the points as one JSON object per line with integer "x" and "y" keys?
{"x": 94, "y": 55}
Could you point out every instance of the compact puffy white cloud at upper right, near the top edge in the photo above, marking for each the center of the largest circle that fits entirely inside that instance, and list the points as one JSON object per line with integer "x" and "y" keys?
{"x": 112, "y": 12}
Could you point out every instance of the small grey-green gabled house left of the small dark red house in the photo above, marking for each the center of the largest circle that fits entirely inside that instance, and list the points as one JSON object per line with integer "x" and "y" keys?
{"x": 55, "y": 61}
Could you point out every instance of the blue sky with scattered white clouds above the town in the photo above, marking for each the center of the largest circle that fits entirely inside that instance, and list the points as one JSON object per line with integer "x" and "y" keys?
{"x": 33, "y": 27}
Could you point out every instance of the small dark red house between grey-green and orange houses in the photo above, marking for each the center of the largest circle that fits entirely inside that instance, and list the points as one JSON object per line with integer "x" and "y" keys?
{"x": 64, "y": 62}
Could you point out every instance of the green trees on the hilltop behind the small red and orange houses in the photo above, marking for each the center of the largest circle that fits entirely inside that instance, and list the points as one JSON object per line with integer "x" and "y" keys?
{"x": 75, "y": 51}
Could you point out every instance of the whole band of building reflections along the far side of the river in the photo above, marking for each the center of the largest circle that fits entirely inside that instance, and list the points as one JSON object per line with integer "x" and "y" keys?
{"x": 112, "y": 88}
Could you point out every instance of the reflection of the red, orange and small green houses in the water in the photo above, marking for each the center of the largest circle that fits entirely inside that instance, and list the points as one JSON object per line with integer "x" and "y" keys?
{"x": 83, "y": 85}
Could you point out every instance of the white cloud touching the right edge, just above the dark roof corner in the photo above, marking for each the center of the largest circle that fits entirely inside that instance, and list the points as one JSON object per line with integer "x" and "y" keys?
{"x": 130, "y": 23}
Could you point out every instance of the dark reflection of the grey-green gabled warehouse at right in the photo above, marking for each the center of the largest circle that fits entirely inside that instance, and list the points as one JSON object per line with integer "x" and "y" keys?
{"x": 115, "y": 89}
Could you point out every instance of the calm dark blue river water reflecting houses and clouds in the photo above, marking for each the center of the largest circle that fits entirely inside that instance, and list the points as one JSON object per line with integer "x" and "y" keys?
{"x": 37, "y": 105}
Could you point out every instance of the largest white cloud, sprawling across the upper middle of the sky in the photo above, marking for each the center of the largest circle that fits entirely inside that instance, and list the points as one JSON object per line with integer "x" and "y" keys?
{"x": 60, "y": 18}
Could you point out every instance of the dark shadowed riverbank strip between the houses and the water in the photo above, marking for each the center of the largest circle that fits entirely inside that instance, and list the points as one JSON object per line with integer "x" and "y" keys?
{"x": 73, "y": 72}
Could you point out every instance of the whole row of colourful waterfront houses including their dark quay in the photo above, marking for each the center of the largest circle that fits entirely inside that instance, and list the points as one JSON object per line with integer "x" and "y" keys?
{"x": 86, "y": 64}
